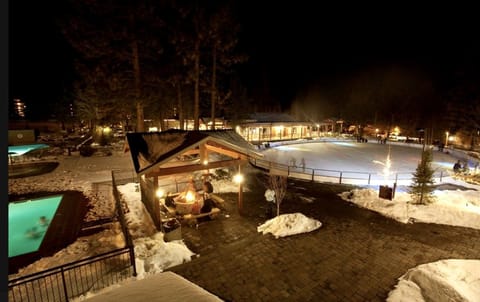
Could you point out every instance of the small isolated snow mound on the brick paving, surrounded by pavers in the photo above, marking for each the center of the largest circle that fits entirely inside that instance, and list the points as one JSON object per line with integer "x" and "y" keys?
{"x": 289, "y": 224}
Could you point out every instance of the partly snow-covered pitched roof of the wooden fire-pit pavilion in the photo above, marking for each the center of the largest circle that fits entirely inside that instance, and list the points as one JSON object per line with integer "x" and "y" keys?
{"x": 149, "y": 149}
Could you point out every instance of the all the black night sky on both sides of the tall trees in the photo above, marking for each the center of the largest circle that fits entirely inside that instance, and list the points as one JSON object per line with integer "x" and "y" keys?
{"x": 292, "y": 45}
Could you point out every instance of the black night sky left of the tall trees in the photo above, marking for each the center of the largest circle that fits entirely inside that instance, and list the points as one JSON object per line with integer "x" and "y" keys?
{"x": 40, "y": 61}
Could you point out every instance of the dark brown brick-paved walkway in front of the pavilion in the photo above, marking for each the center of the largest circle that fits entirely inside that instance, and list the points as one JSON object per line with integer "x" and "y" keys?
{"x": 357, "y": 255}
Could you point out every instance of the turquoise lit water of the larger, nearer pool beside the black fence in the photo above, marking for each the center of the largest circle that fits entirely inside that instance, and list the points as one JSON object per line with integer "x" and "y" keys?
{"x": 25, "y": 229}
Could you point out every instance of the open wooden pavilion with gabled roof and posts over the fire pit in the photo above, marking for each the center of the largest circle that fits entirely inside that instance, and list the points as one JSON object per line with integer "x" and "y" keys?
{"x": 163, "y": 154}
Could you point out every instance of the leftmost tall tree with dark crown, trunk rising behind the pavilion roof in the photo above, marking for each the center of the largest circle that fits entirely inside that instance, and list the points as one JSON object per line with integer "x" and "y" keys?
{"x": 121, "y": 35}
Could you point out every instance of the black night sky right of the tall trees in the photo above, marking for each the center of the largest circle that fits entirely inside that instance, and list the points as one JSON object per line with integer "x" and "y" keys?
{"x": 314, "y": 46}
